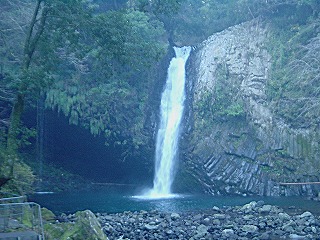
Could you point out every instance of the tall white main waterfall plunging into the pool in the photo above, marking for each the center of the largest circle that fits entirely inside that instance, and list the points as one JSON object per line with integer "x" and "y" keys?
{"x": 171, "y": 111}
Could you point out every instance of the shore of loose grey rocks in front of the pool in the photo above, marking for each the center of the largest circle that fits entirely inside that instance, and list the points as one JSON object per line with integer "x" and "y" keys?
{"x": 254, "y": 220}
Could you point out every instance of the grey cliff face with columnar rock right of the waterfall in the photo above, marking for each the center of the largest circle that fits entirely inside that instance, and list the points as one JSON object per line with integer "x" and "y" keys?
{"x": 237, "y": 143}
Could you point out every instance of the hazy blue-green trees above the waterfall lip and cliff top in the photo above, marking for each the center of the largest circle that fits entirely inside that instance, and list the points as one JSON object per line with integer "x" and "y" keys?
{"x": 192, "y": 21}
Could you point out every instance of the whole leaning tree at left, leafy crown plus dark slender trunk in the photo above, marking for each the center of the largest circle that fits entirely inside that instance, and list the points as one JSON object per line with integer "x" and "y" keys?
{"x": 53, "y": 27}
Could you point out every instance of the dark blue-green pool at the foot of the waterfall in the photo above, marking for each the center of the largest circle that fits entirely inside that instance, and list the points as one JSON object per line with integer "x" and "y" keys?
{"x": 119, "y": 199}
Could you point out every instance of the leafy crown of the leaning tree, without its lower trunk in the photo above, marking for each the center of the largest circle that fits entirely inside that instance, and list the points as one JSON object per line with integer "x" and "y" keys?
{"x": 57, "y": 32}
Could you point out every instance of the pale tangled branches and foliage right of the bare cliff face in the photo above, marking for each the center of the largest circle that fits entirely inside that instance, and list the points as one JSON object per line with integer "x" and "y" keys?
{"x": 294, "y": 81}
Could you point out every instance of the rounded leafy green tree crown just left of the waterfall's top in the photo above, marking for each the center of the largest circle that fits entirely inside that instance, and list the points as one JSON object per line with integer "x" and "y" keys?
{"x": 126, "y": 43}
